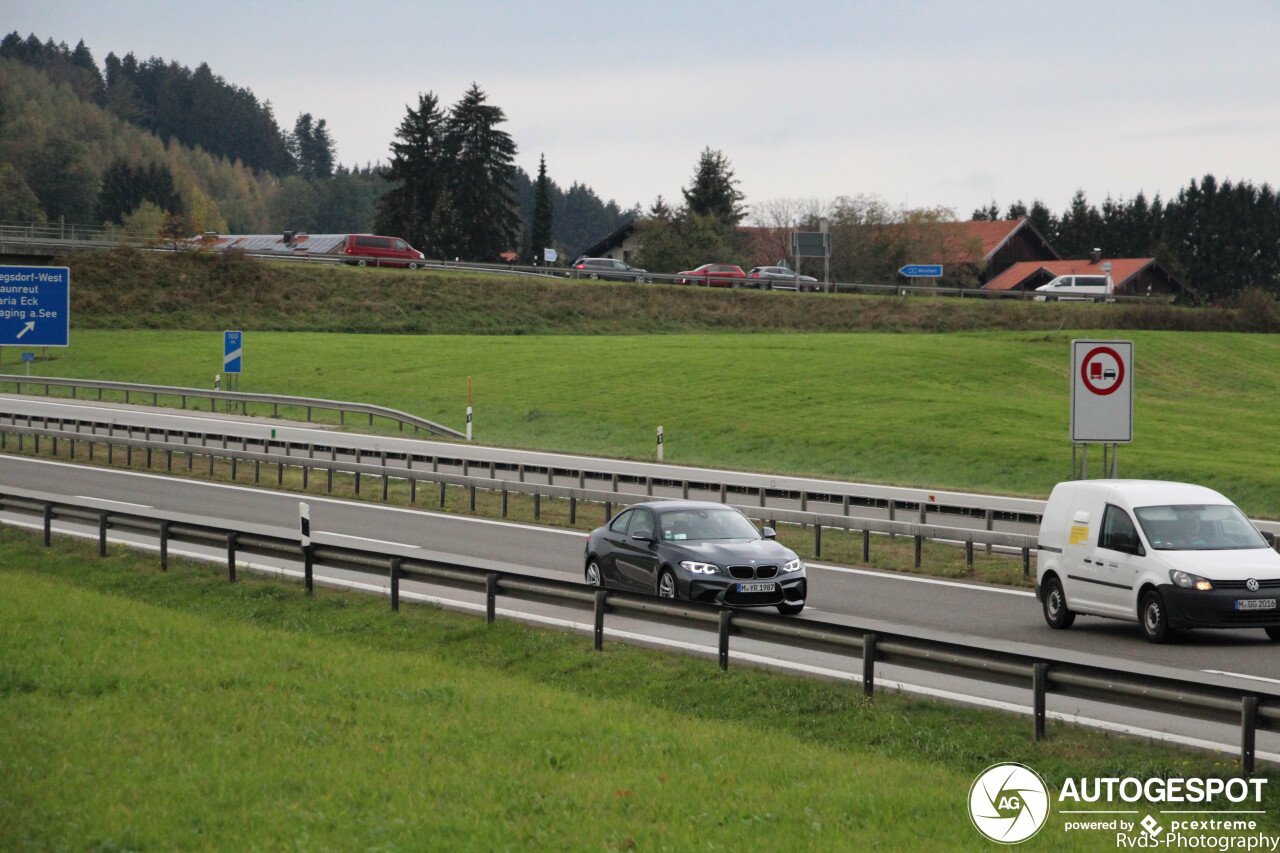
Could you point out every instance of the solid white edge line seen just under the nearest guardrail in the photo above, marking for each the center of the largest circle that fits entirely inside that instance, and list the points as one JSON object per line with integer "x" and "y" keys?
{"x": 1092, "y": 723}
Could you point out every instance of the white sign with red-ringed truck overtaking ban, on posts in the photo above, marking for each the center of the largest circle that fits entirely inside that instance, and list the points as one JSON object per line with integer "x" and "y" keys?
{"x": 1101, "y": 400}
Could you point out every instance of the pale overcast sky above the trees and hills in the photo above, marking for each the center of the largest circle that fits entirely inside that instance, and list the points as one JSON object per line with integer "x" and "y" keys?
{"x": 922, "y": 103}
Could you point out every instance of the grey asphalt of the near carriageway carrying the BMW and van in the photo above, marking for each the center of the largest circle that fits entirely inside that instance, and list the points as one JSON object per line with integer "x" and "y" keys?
{"x": 979, "y": 614}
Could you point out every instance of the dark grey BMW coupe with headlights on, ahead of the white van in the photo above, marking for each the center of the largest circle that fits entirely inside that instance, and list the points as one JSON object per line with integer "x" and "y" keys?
{"x": 696, "y": 550}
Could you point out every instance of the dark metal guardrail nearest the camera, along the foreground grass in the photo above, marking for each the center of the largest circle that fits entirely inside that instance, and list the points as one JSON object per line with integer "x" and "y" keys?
{"x": 1043, "y": 674}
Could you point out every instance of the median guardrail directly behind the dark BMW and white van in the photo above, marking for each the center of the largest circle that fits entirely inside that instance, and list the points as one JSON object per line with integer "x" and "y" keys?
{"x": 918, "y": 532}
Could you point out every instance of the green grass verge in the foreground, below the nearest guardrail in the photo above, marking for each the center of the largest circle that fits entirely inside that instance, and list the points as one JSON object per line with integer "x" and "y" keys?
{"x": 143, "y": 710}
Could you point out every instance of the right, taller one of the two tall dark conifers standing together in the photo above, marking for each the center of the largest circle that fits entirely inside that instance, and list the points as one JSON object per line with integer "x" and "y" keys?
{"x": 481, "y": 180}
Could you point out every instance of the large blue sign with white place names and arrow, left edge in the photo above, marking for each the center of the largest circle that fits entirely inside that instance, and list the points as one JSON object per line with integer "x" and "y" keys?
{"x": 35, "y": 307}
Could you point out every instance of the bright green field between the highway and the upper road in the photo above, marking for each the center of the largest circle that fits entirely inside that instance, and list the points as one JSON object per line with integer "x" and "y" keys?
{"x": 980, "y": 412}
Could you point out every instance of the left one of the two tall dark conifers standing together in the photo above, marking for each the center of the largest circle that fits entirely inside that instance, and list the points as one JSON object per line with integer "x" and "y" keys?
{"x": 418, "y": 177}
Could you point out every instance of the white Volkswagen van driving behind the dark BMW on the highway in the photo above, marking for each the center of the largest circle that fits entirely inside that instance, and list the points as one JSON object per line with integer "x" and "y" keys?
{"x": 1163, "y": 555}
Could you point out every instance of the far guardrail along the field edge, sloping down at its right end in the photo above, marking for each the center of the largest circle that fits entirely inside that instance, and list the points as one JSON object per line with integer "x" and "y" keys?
{"x": 244, "y": 399}
